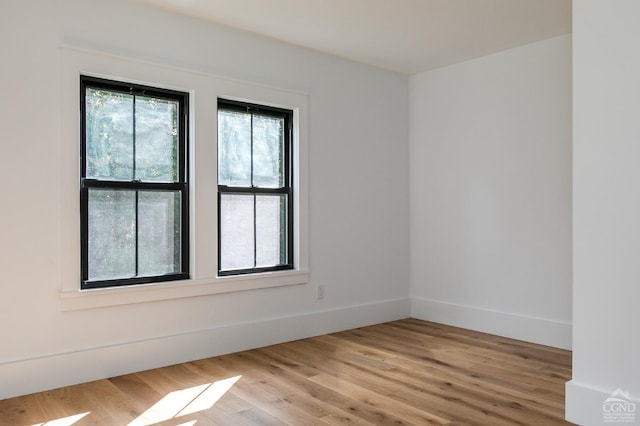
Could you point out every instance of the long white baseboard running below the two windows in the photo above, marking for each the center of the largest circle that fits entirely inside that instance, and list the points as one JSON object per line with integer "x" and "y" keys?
{"x": 38, "y": 374}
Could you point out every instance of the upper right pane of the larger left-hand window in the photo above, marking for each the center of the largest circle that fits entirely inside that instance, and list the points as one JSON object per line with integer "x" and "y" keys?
{"x": 156, "y": 139}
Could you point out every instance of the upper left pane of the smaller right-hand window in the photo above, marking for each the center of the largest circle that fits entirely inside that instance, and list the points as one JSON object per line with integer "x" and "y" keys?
{"x": 234, "y": 148}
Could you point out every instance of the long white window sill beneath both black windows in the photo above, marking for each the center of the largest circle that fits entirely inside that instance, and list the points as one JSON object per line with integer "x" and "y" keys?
{"x": 100, "y": 298}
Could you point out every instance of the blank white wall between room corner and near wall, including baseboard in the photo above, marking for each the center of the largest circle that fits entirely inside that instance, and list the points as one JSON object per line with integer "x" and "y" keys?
{"x": 490, "y": 197}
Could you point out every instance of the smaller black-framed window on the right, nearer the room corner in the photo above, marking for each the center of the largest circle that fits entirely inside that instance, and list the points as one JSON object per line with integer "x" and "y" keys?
{"x": 255, "y": 193}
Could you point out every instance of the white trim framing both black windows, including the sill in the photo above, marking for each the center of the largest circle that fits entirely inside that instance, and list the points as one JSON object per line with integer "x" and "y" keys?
{"x": 204, "y": 89}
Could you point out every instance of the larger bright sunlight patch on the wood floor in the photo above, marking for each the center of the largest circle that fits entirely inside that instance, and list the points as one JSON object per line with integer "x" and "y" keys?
{"x": 185, "y": 401}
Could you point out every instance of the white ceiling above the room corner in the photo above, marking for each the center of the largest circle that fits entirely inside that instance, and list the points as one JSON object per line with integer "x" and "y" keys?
{"x": 407, "y": 36}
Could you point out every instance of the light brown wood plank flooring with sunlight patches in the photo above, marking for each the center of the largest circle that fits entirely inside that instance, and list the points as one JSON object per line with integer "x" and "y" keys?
{"x": 406, "y": 372}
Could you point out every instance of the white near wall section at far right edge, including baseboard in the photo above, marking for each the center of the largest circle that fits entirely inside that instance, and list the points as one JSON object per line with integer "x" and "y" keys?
{"x": 606, "y": 207}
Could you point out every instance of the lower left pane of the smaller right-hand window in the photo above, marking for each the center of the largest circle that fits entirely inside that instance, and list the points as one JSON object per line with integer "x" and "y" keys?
{"x": 236, "y": 231}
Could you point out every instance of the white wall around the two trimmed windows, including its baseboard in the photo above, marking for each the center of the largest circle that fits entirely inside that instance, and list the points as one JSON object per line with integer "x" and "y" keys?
{"x": 358, "y": 185}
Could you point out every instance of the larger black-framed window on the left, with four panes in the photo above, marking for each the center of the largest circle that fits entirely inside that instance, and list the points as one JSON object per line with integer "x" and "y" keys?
{"x": 134, "y": 194}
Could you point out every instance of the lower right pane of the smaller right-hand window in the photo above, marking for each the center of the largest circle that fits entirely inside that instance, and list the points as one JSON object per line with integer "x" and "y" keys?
{"x": 271, "y": 228}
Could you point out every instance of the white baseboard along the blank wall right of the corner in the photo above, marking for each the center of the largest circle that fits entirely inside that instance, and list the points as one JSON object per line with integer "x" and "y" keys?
{"x": 535, "y": 330}
